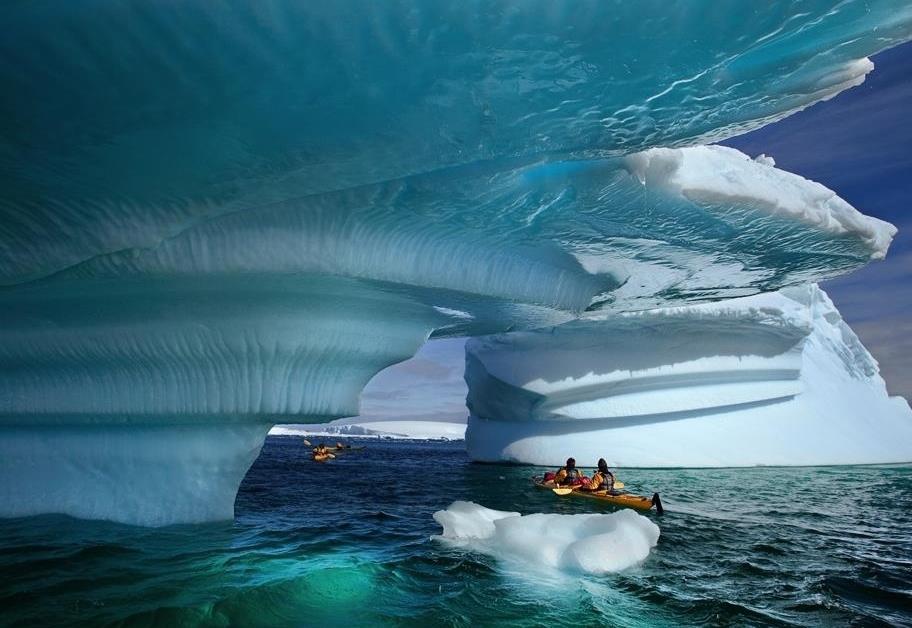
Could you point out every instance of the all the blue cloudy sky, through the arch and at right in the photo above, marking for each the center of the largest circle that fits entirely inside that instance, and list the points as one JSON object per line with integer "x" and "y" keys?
{"x": 858, "y": 144}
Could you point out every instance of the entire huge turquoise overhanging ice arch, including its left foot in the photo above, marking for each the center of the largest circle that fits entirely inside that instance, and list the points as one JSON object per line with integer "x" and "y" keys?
{"x": 228, "y": 215}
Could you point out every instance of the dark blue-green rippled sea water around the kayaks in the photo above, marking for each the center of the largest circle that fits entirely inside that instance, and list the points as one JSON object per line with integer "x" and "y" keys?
{"x": 349, "y": 543}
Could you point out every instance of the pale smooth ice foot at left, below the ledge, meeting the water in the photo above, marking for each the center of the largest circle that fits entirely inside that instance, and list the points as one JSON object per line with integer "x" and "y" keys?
{"x": 153, "y": 474}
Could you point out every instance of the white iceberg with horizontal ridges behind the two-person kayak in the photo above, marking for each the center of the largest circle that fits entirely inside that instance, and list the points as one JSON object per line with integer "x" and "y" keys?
{"x": 772, "y": 379}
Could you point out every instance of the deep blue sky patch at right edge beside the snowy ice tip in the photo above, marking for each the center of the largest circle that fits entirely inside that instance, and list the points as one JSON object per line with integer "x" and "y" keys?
{"x": 860, "y": 145}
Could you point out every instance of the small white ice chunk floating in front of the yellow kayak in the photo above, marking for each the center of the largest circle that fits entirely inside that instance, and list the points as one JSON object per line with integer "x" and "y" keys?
{"x": 587, "y": 543}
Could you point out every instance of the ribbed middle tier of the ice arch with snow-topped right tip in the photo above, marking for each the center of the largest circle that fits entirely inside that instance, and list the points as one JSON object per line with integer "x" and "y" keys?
{"x": 269, "y": 314}
